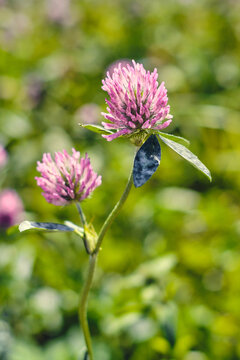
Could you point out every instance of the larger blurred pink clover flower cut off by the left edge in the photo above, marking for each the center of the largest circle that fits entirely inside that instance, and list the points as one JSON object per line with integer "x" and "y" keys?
{"x": 11, "y": 208}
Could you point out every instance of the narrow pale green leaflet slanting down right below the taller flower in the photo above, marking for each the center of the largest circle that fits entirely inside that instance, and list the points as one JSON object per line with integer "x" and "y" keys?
{"x": 187, "y": 155}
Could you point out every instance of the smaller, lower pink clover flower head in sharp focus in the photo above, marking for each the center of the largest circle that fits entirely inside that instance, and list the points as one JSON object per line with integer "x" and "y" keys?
{"x": 67, "y": 178}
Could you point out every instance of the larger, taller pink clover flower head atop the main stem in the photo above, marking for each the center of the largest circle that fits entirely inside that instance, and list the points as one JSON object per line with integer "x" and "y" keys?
{"x": 137, "y": 105}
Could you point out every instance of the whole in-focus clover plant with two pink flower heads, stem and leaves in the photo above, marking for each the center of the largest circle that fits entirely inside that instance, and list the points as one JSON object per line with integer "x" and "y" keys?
{"x": 137, "y": 110}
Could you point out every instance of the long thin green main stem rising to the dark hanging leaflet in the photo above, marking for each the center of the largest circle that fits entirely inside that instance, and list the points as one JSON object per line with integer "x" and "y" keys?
{"x": 92, "y": 263}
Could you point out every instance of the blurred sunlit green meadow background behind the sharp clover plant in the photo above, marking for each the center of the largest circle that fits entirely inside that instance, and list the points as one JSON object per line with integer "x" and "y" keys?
{"x": 167, "y": 284}
